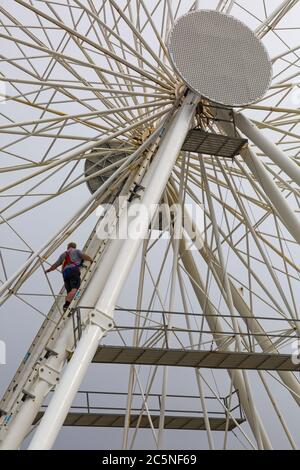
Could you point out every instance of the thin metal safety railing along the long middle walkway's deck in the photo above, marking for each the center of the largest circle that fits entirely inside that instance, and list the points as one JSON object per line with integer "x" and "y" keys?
{"x": 190, "y": 331}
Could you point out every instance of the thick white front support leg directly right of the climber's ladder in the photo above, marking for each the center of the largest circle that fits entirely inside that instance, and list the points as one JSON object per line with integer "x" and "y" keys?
{"x": 154, "y": 183}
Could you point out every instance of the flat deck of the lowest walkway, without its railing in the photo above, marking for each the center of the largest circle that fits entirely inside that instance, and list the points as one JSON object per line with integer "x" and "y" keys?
{"x": 114, "y": 420}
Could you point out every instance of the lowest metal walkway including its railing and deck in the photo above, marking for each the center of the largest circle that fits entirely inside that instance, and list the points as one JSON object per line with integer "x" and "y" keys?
{"x": 91, "y": 409}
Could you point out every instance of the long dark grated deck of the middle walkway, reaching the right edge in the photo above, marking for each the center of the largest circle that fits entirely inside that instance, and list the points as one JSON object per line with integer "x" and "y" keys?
{"x": 198, "y": 359}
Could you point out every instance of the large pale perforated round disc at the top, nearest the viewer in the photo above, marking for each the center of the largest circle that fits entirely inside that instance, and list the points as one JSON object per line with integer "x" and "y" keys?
{"x": 220, "y": 58}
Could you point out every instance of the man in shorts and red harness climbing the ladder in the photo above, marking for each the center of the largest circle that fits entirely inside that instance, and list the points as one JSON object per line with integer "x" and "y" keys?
{"x": 71, "y": 261}
